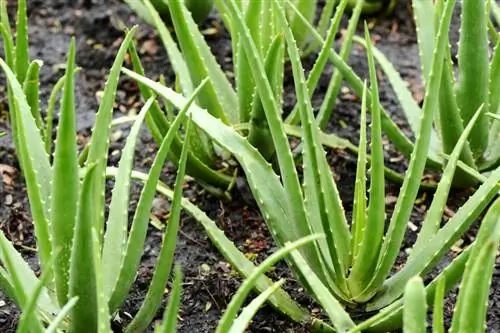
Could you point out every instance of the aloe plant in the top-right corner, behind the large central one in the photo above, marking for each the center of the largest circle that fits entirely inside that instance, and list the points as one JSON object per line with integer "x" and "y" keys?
{"x": 476, "y": 83}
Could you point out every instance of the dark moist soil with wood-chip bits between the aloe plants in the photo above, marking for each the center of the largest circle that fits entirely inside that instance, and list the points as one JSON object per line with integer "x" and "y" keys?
{"x": 209, "y": 282}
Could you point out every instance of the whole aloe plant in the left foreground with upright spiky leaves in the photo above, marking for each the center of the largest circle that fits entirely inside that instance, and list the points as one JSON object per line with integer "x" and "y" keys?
{"x": 88, "y": 264}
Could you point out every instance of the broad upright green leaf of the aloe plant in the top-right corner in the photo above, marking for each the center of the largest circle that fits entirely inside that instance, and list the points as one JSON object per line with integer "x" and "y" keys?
{"x": 472, "y": 88}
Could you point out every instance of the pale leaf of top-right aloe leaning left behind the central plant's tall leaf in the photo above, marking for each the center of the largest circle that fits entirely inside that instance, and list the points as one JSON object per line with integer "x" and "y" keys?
{"x": 408, "y": 104}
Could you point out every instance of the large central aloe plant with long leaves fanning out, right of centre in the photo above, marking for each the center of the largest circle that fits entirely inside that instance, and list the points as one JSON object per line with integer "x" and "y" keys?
{"x": 352, "y": 265}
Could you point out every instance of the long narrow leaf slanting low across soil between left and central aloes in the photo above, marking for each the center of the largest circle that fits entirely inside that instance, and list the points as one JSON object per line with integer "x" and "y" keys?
{"x": 280, "y": 300}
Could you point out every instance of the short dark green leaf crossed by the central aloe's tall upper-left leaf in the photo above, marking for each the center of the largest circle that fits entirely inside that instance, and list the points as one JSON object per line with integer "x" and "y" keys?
{"x": 259, "y": 135}
